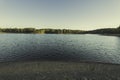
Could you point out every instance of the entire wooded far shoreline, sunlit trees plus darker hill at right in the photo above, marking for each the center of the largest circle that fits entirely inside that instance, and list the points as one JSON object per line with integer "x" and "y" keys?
{"x": 61, "y": 31}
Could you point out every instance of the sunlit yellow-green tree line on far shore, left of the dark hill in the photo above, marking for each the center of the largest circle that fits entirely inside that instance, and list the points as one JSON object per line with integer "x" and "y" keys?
{"x": 42, "y": 31}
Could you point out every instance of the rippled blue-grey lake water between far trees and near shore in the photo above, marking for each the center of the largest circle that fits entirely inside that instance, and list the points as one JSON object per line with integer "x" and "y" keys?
{"x": 59, "y": 47}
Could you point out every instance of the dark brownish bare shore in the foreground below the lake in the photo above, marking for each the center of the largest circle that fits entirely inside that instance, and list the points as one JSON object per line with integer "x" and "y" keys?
{"x": 58, "y": 70}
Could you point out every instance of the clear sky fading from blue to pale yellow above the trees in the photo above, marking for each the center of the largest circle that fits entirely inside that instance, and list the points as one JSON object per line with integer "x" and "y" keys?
{"x": 60, "y": 14}
